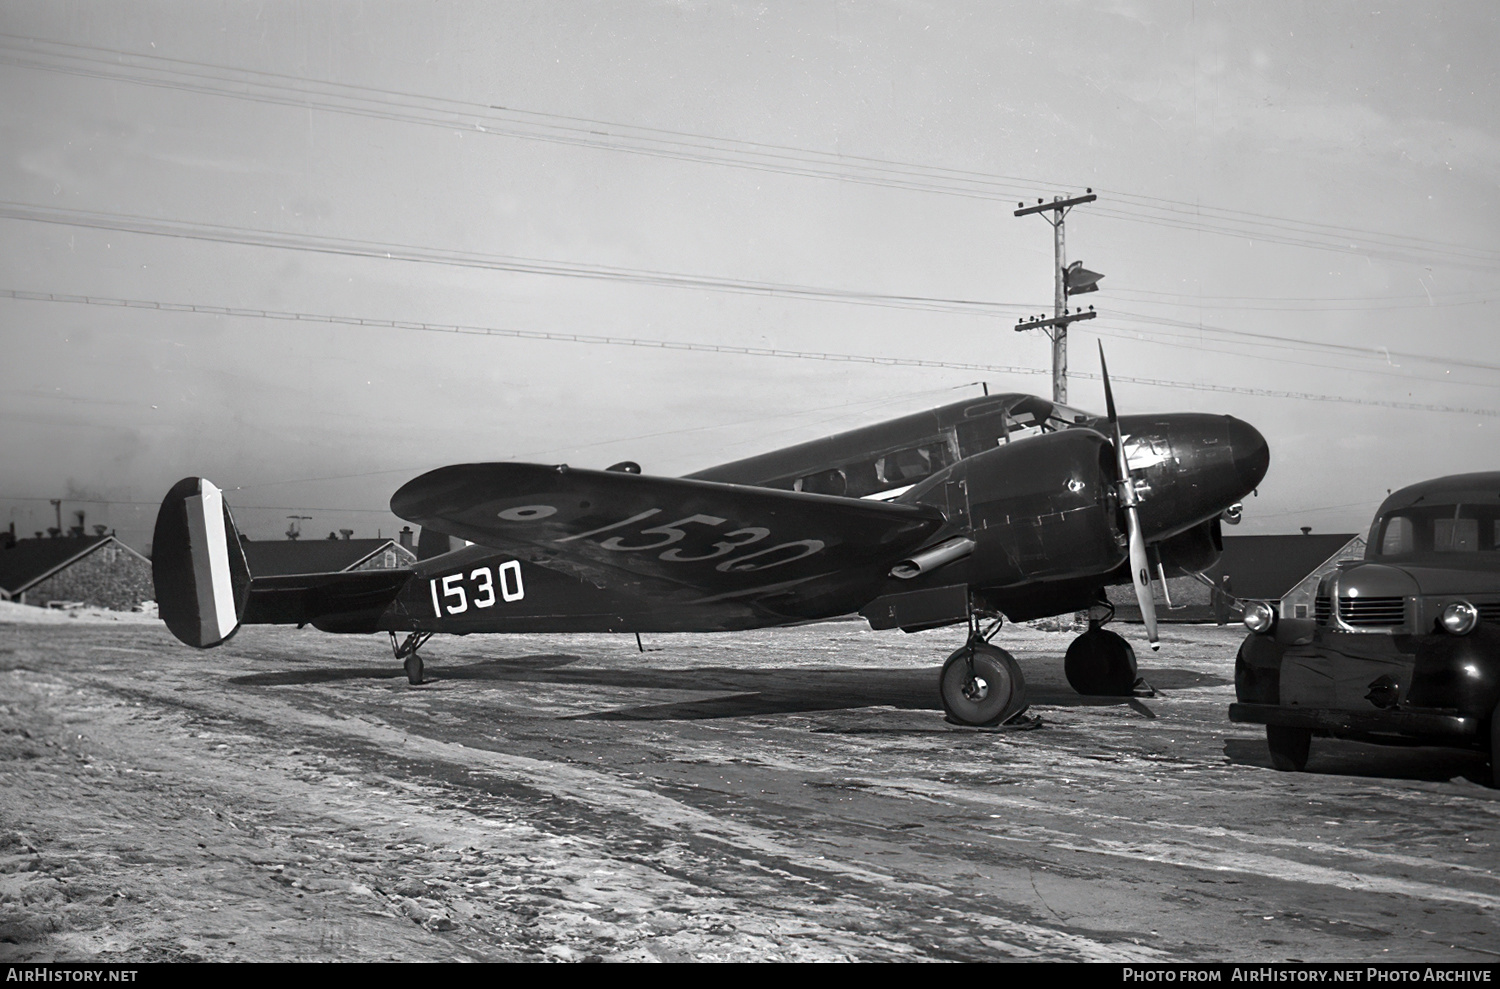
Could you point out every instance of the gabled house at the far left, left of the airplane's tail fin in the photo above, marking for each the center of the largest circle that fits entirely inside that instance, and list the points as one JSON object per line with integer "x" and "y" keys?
{"x": 95, "y": 571}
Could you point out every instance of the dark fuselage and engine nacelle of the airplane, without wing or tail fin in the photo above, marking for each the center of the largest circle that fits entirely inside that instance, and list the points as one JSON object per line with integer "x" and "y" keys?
{"x": 1033, "y": 484}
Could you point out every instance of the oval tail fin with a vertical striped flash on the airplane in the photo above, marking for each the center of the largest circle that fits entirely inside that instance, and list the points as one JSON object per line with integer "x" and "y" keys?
{"x": 203, "y": 582}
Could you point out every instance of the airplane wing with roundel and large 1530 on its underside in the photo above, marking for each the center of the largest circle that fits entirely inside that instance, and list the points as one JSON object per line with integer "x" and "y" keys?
{"x": 671, "y": 540}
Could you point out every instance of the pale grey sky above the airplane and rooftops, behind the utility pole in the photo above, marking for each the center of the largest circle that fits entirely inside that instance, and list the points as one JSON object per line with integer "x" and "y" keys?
{"x": 1298, "y": 221}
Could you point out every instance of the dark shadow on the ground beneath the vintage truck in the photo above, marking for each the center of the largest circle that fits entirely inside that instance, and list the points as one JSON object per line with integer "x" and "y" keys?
{"x": 1337, "y": 757}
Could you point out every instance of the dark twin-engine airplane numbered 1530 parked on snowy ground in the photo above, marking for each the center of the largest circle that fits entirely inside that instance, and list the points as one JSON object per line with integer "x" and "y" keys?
{"x": 1007, "y": 507}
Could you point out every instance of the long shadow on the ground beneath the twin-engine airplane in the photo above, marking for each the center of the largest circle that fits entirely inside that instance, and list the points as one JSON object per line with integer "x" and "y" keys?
{"x": 746, "y": 693}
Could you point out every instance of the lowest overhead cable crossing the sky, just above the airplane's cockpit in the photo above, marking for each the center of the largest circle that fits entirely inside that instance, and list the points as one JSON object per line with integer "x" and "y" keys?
{"x": 716, "y": 349}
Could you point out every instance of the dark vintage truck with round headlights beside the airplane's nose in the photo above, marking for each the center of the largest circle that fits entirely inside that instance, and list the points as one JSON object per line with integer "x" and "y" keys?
{"x": 1403, "y": 646}
